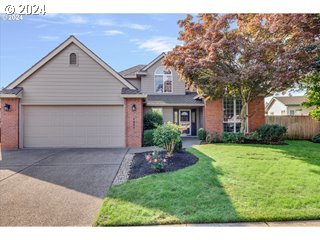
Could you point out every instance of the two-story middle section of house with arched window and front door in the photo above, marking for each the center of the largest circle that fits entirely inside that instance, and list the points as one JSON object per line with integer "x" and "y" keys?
{"x": 166, "y": 92}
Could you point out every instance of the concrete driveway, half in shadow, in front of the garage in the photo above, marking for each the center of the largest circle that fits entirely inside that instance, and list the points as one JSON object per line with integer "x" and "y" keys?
{"x": 55, "y": 187}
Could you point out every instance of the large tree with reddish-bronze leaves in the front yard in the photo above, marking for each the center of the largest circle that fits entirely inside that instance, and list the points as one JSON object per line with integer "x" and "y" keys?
{"x": 244, "y": 55}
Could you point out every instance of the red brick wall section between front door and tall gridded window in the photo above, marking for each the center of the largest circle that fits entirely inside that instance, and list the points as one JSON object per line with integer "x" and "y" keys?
{"x": 213, "y": 116}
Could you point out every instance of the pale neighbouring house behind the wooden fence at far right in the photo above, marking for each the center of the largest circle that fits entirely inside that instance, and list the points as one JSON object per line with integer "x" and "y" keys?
{"x": 287, "y": 105}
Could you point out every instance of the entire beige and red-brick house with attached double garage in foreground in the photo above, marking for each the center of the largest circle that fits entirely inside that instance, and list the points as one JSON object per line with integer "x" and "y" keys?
{"x": 72, "y": 98}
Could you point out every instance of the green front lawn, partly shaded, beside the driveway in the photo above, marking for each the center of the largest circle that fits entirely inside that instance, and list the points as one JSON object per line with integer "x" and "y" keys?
{"x": 230, "y": 183}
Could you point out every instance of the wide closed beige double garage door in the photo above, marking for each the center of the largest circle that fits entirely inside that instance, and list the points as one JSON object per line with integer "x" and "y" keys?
{"x": 73, "y": 126}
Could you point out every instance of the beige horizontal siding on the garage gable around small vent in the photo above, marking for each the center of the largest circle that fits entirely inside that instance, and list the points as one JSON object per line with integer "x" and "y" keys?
{"x": 58, "y": 83}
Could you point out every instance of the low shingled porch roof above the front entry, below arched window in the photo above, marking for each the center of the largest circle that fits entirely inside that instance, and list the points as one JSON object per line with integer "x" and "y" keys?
{"x": 174, "y": 100}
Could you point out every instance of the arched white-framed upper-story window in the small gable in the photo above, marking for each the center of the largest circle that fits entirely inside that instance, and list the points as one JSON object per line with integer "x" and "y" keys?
{"x": 162, "y": 80}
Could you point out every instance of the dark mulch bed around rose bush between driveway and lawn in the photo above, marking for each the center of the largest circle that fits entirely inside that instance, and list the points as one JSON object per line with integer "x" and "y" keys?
{"x": 140, "y": 167}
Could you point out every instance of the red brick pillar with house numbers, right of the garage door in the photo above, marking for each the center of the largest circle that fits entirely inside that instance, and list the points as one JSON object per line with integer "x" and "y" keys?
{"x": 134, "y": 122}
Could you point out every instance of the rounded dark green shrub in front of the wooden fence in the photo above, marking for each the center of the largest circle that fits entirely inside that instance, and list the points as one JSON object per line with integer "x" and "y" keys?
{"x": 271, "y": 133}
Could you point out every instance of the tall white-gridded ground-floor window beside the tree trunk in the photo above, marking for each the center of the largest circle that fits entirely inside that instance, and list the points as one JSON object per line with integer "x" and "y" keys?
{"x": 231, "y": 115}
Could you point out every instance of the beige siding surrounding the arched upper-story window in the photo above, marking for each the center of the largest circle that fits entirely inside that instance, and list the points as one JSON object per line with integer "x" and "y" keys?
{"x": 147, "y": 82}
